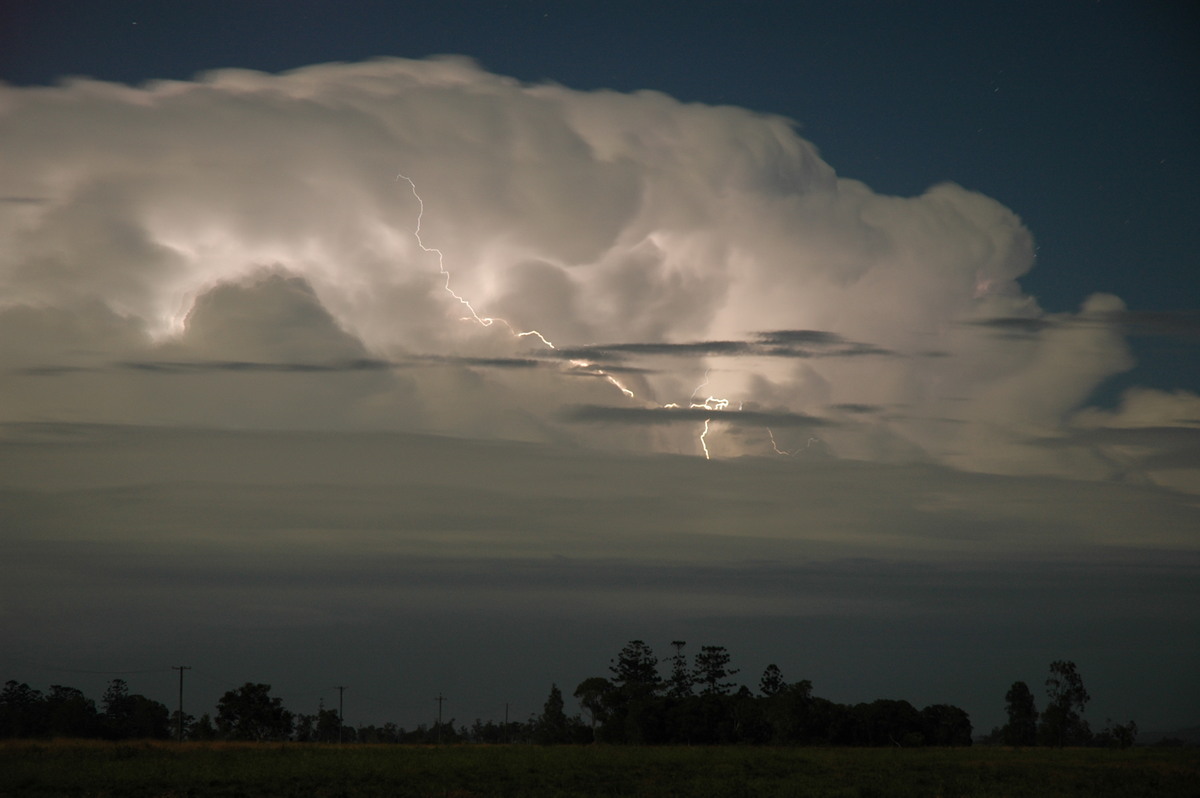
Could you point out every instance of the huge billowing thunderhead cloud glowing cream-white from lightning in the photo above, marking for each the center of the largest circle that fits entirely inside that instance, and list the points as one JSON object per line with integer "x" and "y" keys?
{"x": 259, "y": 219}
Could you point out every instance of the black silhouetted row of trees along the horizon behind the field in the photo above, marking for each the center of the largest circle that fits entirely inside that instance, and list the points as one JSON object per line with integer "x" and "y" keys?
{"x": 694, "y": 703}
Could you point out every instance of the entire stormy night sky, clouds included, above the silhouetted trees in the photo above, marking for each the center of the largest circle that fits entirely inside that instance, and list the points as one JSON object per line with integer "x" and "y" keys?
{"x": 933, "y": 503}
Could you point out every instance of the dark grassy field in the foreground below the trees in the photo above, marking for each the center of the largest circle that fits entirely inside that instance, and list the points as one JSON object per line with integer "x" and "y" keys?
{"x": 165, "y": 770}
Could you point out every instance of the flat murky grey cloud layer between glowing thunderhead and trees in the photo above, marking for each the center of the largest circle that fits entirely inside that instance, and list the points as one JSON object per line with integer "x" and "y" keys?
{"x": 397, "y": 562}
